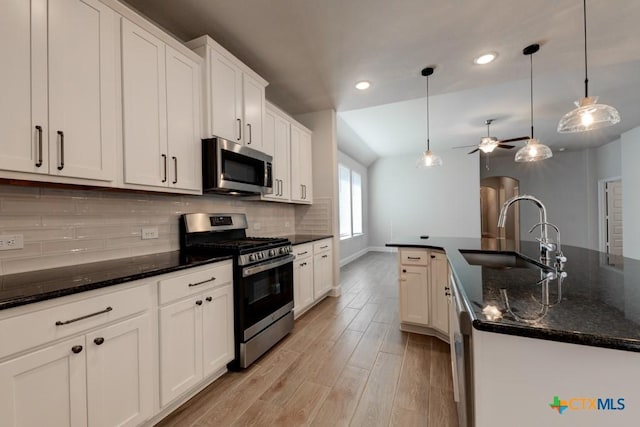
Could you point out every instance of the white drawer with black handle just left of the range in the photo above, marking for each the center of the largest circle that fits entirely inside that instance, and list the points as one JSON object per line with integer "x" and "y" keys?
{"x": 195, "y": 280}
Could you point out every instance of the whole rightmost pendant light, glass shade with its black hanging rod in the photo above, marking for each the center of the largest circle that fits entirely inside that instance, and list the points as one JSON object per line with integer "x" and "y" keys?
{"x": 589, "y": 114}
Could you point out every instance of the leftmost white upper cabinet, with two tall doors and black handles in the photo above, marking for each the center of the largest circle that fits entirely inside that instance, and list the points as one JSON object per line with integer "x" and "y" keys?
{"x": 58, "y": 107}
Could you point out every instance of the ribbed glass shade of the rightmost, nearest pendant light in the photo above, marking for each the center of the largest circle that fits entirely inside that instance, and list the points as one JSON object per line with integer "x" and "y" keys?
{"x": 588, "y": 116}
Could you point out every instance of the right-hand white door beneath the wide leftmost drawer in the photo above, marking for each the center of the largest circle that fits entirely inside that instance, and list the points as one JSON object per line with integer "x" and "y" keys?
{"x": 120, "y": 373}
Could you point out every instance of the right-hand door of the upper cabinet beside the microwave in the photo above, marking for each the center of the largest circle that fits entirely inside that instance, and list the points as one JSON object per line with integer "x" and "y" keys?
{"x": 183, "y": 121}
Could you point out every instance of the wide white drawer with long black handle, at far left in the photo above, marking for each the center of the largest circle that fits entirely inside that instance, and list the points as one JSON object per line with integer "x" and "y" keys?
{"x": 39, "y": 327}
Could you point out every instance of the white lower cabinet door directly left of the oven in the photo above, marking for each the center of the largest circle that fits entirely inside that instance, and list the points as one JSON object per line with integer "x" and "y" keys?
{"x": 217, "y": 329}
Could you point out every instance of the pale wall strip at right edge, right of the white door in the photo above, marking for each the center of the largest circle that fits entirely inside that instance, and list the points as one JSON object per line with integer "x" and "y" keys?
{"x": 630, "y": 148}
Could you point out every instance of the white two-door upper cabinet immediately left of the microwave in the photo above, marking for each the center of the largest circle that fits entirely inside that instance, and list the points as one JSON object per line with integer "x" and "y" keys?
{"x": 161, "y": 112}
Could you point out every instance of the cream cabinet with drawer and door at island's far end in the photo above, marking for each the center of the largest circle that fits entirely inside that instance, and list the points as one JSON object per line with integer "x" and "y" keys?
{"x": 424, "y": 291}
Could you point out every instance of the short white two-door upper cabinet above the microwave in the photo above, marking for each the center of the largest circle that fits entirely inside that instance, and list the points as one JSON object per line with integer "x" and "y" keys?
{"x": 235, "y": 104}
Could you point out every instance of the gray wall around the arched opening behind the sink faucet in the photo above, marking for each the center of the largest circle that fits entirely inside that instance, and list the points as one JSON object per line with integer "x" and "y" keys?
{"x": 567, "y": 184}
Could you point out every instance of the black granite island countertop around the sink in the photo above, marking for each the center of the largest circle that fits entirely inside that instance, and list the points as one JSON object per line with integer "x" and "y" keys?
{"x": 599, "y": 300}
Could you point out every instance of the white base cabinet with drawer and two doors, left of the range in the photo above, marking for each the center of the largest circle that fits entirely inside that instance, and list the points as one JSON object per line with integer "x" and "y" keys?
{"x": 196, "y": 328}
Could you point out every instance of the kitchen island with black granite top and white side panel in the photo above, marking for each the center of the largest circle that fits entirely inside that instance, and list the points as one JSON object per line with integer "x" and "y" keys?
{"x": 580, "y": 346}
